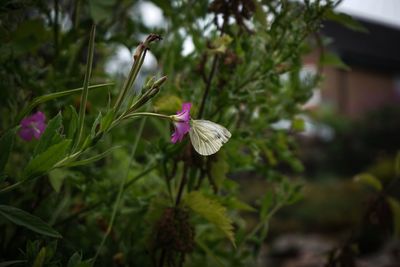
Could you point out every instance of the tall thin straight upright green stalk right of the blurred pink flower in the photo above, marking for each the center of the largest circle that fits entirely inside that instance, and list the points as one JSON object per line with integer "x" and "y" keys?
{"x": 85, "y": 92}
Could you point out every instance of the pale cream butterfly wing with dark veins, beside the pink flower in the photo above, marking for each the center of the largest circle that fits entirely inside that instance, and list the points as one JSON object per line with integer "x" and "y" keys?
{"x": 207, "y": 137}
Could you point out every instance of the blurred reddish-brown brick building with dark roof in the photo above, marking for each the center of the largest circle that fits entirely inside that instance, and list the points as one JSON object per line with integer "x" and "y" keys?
{"x": 373, "y": 80}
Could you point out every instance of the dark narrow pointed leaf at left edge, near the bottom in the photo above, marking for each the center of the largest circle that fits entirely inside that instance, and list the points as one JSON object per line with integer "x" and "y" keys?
{"x": 25, "y": 219}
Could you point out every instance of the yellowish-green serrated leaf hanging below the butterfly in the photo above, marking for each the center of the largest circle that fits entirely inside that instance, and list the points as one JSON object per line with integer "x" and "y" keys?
{"x": 212, "y": 211}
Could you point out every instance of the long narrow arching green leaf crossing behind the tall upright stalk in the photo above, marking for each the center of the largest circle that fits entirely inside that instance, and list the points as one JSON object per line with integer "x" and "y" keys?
{"x": 44, "y": 98}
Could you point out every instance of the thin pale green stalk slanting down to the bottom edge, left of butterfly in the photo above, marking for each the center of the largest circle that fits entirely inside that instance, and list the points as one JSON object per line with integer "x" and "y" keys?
{"x": 120, "y": 190}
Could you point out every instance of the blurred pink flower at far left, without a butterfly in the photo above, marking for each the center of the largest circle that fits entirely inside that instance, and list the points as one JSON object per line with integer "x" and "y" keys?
{"x": 32, "y": 126}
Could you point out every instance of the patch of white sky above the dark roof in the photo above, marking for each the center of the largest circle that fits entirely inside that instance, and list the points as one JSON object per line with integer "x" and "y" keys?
{"x": 384, "y": 11}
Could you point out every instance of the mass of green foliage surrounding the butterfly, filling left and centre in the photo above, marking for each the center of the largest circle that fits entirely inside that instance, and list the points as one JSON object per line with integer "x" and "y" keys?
{"x": 244, "y": 73}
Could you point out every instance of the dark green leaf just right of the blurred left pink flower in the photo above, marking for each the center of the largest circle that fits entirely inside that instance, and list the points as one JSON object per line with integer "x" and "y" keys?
{"x": 50, "y": 136}
